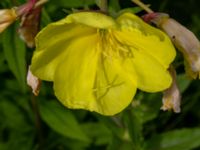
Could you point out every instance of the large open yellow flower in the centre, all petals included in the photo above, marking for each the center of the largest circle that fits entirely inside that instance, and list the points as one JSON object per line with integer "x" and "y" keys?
{"x": 97, "y": 62}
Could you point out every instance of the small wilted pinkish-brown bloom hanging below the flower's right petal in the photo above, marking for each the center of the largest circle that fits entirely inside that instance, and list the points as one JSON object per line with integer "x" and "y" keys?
{"x": 172, "y": 97}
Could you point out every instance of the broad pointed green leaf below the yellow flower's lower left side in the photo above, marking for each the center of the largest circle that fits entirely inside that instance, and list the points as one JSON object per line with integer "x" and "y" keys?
{"x": 61, "y": 120}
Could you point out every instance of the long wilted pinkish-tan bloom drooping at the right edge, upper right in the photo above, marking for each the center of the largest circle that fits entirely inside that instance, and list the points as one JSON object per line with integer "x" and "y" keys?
{"x": 184, "y": 40}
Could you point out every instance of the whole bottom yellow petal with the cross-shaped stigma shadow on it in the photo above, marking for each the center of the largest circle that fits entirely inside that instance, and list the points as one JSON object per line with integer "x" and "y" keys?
{"x": 85, "y": 80}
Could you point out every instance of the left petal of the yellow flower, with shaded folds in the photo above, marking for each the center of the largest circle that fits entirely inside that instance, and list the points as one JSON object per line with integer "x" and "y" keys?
{"x": 51, "y": 45}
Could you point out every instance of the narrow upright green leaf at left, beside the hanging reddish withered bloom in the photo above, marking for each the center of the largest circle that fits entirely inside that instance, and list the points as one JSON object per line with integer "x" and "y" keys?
{"x": 15, "y": 51}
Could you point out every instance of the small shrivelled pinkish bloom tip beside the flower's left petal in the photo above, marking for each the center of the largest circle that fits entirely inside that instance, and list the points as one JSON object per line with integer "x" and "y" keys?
{"x": 33, "y": 82}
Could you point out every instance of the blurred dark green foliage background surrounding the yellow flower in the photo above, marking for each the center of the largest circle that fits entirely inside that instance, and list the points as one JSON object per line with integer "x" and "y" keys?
{"x": 32, "y": 123}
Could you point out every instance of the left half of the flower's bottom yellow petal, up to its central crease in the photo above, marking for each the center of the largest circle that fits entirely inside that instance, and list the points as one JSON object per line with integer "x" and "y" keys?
{"x": 75, "y": 76}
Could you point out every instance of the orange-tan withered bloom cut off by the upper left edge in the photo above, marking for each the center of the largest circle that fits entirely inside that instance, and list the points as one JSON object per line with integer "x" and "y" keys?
{"x": 7, "y": 17}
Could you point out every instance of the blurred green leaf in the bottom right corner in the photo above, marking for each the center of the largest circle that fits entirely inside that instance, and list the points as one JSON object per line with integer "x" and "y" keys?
{"x": 183, "y": 139}
